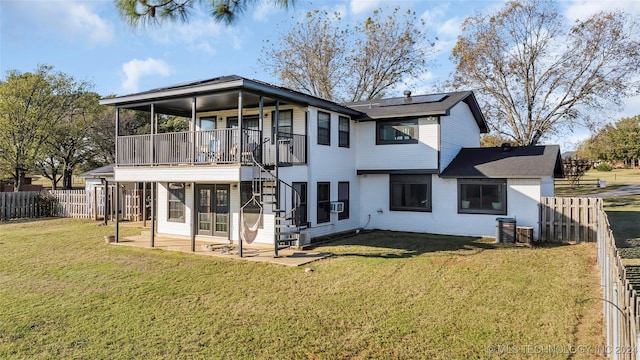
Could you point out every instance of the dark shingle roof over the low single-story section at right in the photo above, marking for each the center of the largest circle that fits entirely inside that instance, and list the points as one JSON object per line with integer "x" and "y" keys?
{"x": 506, "y": 162}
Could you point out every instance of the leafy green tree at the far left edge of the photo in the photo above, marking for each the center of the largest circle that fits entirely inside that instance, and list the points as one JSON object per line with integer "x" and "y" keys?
{"x": 31, "y": 106}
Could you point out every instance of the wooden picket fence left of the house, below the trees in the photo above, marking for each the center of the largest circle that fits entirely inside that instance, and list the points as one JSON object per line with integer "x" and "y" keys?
{"x": 70, "y": 203}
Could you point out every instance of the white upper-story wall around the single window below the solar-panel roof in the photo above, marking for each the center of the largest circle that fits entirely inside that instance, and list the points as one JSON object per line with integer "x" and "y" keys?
{"x": 423, "y": 155}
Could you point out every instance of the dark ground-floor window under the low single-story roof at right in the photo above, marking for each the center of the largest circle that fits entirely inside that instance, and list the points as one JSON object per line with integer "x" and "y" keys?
{"x": 482, "y": 196}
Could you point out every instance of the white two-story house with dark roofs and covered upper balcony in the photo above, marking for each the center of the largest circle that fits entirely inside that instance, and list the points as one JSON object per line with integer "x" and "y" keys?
{"x": 265, "y": 164}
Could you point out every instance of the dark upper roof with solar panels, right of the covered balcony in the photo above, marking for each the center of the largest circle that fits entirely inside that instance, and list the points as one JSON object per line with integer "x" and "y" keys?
{"x": 421, "y": 105}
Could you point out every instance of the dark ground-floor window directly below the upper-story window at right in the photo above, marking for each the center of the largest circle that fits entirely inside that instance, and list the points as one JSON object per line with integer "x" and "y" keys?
{"x": 410, "y": 192}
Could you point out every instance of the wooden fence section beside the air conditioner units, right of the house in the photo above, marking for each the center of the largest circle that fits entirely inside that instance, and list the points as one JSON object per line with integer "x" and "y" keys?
{"x": 569, "y": 219}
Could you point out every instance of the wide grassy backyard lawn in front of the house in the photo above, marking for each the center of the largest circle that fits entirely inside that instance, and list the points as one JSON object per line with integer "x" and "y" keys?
{"x": 64, "y": 293}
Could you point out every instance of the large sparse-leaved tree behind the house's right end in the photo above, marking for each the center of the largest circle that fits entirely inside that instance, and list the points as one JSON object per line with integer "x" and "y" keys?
{"x": 536, "y": 76}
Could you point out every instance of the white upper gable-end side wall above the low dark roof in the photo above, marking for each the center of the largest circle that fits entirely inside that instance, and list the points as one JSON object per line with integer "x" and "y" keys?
{"x": 457, "y": 130}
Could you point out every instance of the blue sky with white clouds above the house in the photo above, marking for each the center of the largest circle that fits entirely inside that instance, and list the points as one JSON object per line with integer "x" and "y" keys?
{"x": 87, "y": 40}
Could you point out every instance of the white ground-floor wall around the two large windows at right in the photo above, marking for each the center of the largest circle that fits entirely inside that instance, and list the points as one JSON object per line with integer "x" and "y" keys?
{"x": 522, "y": 201}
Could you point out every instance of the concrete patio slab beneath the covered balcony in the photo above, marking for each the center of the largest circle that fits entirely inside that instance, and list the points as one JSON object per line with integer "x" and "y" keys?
{"x": 251, "y": 252}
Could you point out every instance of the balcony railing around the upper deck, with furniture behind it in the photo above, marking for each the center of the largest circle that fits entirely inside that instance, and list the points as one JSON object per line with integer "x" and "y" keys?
{"x": 212, "y": 147}
